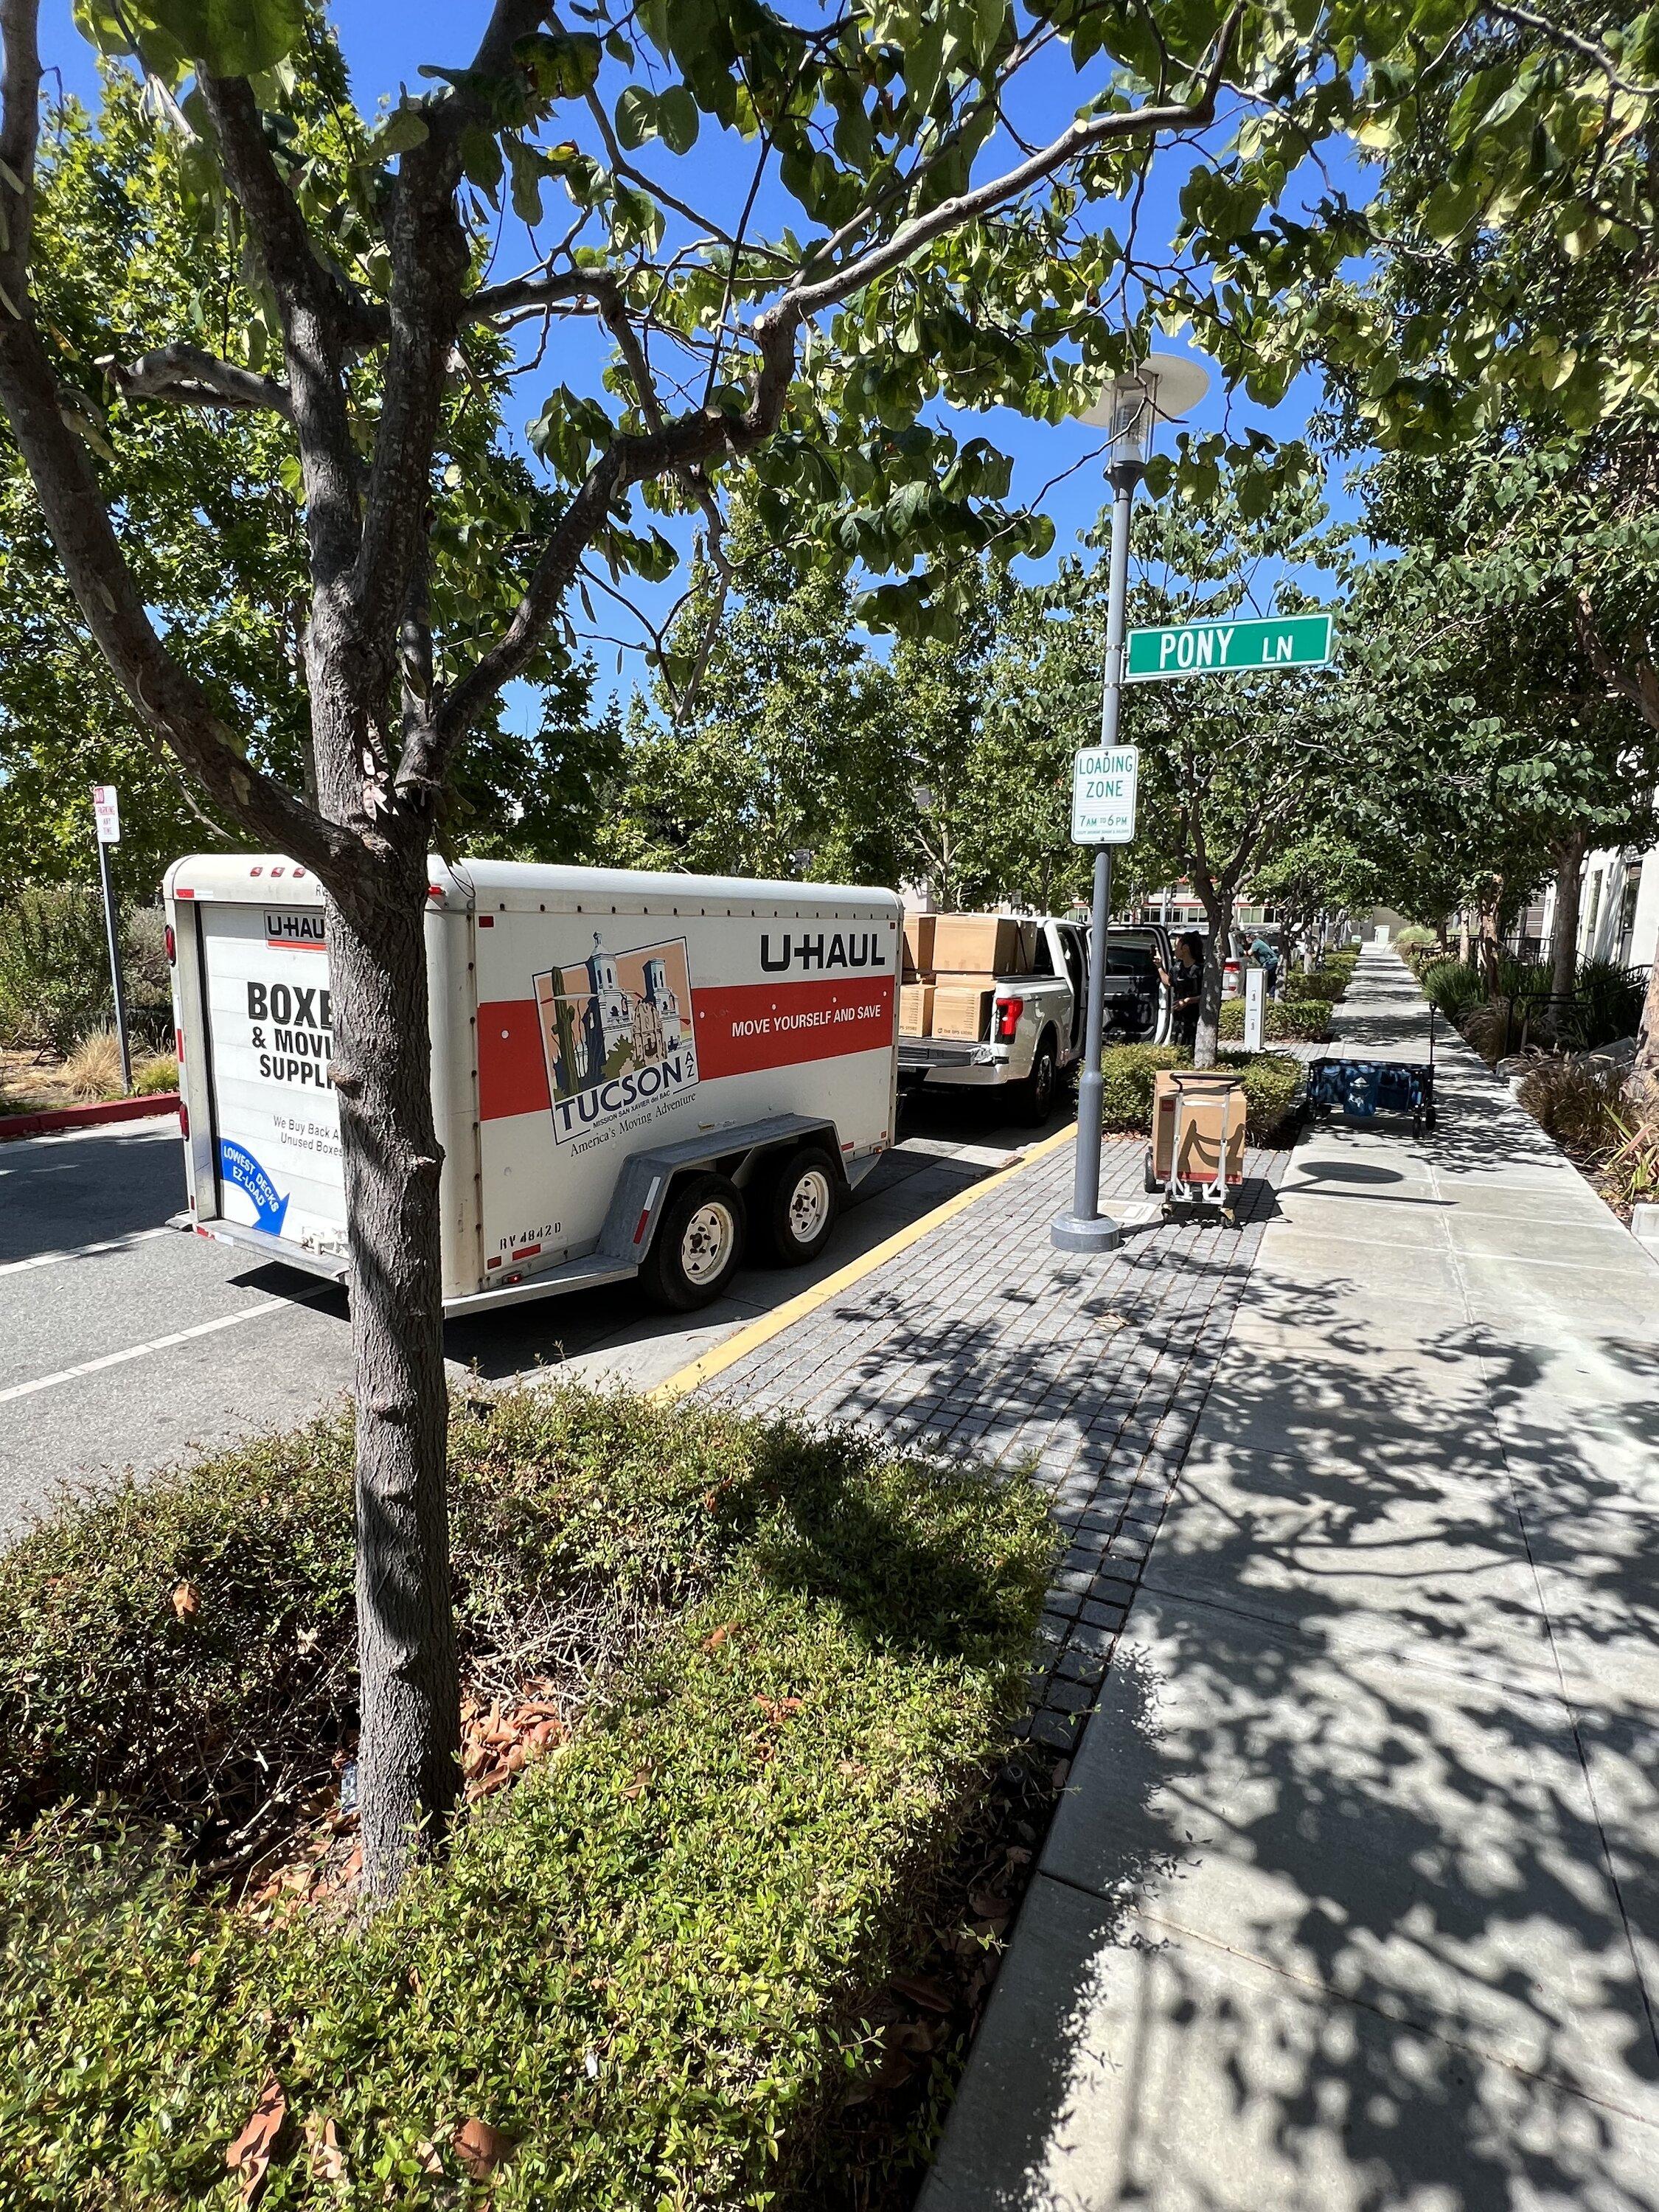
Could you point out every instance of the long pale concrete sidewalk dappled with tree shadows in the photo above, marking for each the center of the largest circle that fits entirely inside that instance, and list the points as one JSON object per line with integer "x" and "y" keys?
{"x": 1355, "y": 1895}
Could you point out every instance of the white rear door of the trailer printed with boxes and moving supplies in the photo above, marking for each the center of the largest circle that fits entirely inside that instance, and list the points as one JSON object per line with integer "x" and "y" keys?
{"x": 269, "y": 1047}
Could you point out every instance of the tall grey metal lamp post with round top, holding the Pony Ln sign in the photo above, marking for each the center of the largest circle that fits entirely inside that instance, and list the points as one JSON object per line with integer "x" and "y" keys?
{"x": 1165, "y": 388}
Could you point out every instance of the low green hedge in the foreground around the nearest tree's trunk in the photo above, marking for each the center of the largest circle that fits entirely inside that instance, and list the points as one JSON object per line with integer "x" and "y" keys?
{"x": 645, "y": 1963}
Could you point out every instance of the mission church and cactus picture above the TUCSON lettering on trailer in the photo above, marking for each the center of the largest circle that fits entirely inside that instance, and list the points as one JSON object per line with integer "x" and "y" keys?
{"x": 614, "y": 1014}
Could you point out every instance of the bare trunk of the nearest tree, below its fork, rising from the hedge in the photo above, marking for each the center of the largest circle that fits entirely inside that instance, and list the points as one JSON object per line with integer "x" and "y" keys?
{"x": 410, "y": 1698}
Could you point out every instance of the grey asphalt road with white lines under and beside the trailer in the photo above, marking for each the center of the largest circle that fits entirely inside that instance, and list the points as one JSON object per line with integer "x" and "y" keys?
{"x": 127, "y": 1346}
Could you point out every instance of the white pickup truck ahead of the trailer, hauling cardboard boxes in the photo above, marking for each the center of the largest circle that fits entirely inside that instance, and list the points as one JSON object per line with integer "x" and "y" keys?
{"x": 1036, "y": 1030}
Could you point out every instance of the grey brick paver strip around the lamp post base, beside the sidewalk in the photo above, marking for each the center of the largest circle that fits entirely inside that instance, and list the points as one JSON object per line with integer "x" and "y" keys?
{"x": 988, "y": 1344}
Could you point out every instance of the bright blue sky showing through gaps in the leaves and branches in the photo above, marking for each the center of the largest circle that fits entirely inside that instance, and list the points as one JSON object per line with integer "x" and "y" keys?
{"x": 1052, "y": 463}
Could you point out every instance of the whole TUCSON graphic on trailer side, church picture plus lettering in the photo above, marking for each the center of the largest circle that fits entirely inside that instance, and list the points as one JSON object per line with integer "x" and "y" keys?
{"x": 618, "y": 1034}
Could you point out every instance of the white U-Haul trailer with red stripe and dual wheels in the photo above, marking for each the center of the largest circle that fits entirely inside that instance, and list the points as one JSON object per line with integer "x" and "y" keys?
{"x": 629, "y": 1074}
